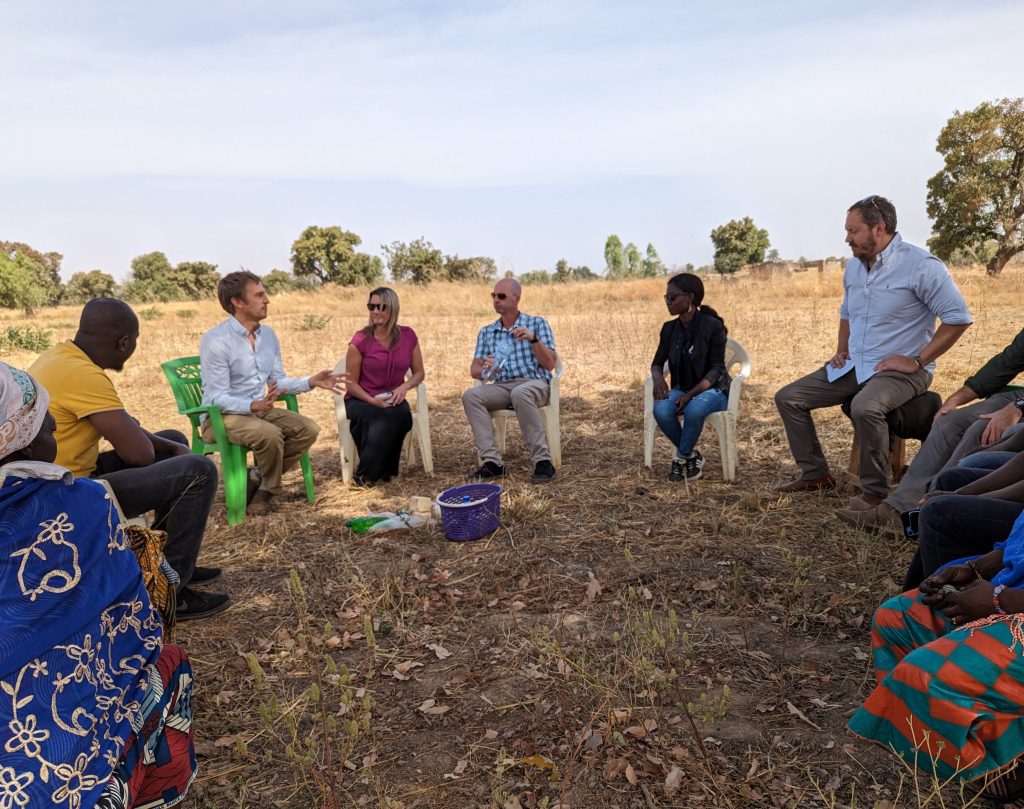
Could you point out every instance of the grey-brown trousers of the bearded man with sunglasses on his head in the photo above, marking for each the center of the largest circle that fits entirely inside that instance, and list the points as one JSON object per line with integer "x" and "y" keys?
{"x": 871, "y": 403}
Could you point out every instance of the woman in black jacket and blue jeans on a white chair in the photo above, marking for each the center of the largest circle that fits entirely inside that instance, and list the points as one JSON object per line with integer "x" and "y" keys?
{"x": 694, "y": 345}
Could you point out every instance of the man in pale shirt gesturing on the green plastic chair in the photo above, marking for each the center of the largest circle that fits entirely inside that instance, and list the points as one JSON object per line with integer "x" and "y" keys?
{"x": 243, "y": 375}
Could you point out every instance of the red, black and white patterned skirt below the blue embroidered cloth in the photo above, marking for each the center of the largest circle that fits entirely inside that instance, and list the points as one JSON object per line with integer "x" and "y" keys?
{"x": 159, "y": 761}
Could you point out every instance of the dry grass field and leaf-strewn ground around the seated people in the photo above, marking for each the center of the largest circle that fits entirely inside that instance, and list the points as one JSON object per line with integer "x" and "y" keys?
{"x": 622, "y": 642}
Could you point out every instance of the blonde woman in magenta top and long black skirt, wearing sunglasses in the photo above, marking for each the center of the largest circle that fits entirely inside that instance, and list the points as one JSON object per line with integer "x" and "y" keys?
{"x": 378, "y": 360}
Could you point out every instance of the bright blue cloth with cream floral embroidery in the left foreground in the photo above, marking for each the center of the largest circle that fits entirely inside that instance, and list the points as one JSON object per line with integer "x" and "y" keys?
{"x": 79, "y": 642}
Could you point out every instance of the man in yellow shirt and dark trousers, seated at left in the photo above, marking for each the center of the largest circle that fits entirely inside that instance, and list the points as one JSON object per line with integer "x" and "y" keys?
{"x": 147, "y": 472}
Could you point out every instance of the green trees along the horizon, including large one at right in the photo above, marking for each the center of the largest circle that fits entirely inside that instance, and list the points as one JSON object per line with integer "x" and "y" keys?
{"x": 976, "y": 203}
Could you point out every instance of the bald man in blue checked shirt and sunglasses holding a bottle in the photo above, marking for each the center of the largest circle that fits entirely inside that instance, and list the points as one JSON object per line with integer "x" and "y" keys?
{"x": 517, "y": 354}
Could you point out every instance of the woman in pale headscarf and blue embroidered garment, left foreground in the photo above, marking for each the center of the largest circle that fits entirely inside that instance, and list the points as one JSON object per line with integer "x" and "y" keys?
{"x": 95, "y": 709}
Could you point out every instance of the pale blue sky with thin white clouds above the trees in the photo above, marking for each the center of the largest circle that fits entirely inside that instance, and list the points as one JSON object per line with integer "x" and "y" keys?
{"x": 524, "y": 131}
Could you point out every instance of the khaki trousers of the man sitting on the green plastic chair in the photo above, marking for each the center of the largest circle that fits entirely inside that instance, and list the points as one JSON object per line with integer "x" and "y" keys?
{"x": 278, "y": 439}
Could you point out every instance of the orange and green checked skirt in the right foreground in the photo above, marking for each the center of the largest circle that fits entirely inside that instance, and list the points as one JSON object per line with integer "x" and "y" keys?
{"x": 949, "y": 701}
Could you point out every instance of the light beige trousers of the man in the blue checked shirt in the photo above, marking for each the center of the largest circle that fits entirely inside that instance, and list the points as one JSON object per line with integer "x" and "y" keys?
{"x": 527, "y": 398}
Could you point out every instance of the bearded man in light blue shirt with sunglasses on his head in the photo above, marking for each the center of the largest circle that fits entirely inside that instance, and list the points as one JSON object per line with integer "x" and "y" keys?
{"x": 892, "y": 295}
